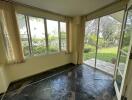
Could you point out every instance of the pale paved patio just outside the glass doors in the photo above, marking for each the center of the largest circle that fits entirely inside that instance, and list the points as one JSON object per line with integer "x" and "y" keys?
{"x": 102, "y": 65}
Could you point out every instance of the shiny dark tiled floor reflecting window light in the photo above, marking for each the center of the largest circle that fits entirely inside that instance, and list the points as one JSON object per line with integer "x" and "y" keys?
{"x": 78, "y": 83}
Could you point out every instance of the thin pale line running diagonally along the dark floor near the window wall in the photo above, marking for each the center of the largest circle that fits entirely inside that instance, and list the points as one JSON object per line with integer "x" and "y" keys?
{"x": 37, "y": 81}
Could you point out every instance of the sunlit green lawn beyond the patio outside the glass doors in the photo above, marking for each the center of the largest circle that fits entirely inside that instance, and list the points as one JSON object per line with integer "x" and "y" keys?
{"x": 105, "y": 54}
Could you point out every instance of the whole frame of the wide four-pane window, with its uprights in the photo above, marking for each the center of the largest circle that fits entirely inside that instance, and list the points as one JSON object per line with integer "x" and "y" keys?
{"x": 28, "y": 29}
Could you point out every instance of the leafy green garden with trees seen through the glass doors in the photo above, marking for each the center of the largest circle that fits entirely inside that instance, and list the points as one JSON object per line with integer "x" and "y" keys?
{"x": 106, "y": 41}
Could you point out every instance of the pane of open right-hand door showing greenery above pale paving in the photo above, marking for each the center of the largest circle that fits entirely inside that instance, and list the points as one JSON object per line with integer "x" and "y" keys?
{"x": 122, "y": 62}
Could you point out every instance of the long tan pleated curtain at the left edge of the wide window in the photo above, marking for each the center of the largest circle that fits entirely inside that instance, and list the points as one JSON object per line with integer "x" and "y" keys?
{"x": 12, "y": 31}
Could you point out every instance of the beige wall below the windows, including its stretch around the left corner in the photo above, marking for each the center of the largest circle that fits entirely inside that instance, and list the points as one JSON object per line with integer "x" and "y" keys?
{"x": 31, "y": 66}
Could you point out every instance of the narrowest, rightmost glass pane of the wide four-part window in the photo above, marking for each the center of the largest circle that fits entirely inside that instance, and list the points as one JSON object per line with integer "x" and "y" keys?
{"x": 63, "y": 36}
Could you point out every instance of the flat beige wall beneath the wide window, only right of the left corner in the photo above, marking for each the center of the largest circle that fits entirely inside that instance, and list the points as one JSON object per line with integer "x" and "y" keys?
{"x": 36, "y": 65}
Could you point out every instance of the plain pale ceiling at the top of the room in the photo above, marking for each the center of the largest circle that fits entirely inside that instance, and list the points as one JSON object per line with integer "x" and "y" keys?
{"x": 68, "y": 7}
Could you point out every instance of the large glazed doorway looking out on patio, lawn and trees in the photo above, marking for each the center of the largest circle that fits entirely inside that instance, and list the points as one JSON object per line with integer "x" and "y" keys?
{"x": 102, "y": 37}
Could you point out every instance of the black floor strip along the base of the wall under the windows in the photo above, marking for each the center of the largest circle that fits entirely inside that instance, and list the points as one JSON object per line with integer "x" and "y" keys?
{"x": 38, "y": 77}
